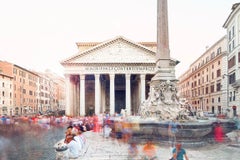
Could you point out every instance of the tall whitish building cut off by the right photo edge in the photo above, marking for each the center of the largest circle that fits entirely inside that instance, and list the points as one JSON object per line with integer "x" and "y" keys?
{"x": 233, "y": 46}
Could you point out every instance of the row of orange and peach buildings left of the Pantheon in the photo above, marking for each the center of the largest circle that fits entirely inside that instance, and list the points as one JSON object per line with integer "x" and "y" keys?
{"x": 27, "y": 92}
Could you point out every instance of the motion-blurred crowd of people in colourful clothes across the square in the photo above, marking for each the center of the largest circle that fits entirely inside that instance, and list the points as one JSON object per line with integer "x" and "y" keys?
{"x": 116, "y": 127}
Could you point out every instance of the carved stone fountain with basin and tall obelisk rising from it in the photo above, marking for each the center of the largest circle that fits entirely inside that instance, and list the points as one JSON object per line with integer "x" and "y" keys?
{"x": 163, "y": 104}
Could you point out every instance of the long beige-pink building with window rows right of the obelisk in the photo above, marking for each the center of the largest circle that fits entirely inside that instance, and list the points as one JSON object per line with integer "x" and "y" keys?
{"x": 203, "y": 87}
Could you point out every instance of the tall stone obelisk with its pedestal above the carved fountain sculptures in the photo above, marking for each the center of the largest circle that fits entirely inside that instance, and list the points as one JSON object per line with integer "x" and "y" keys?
{"x": 165, "y": 66}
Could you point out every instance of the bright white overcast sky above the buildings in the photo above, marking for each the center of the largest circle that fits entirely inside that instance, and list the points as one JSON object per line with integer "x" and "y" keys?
{"x": 39, "y": 34}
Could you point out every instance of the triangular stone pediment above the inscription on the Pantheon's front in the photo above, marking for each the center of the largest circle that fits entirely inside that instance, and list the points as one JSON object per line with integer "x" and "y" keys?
{"x": 117, "y": 50}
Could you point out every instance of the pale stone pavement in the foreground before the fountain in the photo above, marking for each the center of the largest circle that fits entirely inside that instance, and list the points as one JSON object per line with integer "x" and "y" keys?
{"x": 100, "y": 148}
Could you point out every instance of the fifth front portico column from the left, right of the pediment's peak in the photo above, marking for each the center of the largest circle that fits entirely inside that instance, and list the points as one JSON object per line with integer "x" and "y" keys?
{"x": 128, "y": 94}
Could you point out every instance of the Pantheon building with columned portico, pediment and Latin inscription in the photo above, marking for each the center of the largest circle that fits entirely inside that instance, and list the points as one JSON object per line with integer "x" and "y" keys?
{"x": 109, "y": 76}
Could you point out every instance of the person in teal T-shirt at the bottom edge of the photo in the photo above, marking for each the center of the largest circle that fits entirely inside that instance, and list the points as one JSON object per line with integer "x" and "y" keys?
{"x": 179, "y": 153}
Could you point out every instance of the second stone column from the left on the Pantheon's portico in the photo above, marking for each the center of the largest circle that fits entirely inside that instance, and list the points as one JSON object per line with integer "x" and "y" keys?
{"x": 82, "y": 95}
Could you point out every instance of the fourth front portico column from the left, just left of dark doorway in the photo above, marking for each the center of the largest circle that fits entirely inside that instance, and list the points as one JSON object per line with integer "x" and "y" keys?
{"x": 112, "y": 94}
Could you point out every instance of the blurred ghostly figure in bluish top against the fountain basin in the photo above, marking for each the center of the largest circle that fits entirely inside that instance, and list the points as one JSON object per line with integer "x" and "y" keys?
{"x": 172, "y": 130}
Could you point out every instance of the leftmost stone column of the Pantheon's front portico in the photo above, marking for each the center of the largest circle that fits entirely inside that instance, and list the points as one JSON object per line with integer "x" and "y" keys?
{"x": 68, "y": 94}
